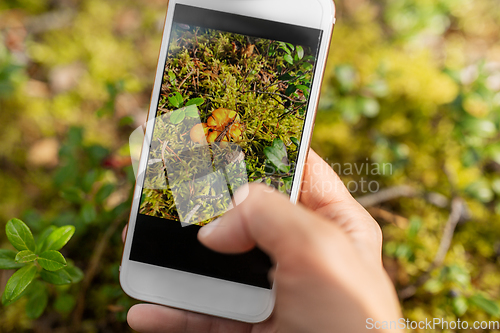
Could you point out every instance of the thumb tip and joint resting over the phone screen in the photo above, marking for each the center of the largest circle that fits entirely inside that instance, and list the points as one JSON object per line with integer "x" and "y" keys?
{"x": 264, "y": 218}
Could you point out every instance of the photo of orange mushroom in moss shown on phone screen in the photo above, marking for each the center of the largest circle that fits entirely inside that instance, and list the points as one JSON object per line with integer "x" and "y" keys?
{"x": 234, "y": 100}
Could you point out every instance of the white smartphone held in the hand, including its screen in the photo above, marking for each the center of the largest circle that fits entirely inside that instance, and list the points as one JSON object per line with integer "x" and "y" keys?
{"x": 234, "y": 102}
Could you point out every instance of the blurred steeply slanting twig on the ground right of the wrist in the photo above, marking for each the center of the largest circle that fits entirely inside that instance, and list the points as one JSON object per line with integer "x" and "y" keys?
{"x": 449, "y": 230}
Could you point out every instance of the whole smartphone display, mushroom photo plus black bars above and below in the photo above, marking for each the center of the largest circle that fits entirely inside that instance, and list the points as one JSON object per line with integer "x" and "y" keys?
{"x": 231, "y": 111}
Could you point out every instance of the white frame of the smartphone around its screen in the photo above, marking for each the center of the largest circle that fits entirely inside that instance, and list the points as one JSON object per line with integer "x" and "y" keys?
{"x": 199, "y": 293}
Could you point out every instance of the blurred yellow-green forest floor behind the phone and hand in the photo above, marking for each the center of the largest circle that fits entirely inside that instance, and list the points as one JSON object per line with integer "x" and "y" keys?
{"x": 414, "y": 84}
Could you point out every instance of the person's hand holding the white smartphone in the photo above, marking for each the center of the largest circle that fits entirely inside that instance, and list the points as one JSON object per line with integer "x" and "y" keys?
{"x": 330, "y": 276}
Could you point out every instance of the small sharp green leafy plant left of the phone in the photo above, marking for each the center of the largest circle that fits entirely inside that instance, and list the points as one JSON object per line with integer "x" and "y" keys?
{"x": 39, "y": 264}
